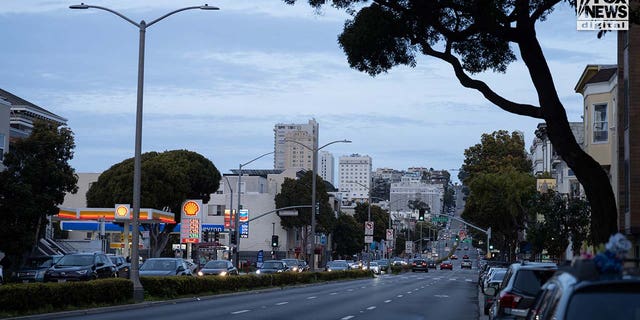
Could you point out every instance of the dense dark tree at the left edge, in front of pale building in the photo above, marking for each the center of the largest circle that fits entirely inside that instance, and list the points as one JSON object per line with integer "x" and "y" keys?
{"x": 36, "y": 179}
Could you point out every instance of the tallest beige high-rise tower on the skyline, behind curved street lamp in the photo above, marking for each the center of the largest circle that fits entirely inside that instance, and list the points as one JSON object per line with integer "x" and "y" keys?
{"x": 290, "y": 154}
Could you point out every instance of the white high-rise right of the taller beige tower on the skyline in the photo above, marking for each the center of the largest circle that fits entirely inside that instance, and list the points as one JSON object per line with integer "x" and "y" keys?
{"x": 355, "y": 178}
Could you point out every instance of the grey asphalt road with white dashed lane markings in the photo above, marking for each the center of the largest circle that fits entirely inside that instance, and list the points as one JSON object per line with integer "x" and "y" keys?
{"x": 438, "y": 294}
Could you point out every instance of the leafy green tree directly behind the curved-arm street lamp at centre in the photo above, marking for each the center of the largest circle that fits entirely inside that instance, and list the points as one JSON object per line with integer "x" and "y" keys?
{"x": 298, "y": 192}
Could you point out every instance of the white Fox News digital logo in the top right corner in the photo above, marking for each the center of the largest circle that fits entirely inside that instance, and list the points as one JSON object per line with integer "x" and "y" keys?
{"x": 602, "y": 14}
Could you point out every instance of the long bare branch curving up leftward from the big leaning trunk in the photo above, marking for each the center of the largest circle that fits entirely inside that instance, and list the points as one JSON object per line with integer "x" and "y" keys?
{"x": 483, "y": 88}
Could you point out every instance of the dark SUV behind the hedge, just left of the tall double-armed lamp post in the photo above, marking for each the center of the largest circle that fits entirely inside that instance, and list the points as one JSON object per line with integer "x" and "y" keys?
{"x": 81, "y": 267}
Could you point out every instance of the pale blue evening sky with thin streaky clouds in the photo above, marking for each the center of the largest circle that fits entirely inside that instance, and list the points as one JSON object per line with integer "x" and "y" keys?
{"x": 216, "y": 82}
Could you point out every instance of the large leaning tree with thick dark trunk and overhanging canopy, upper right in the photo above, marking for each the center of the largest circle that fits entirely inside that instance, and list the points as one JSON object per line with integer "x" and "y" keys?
{"x": 475, "y": 37}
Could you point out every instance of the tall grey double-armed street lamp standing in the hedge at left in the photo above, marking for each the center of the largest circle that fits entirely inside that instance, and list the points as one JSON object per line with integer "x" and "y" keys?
{"x": 138, "y": 290}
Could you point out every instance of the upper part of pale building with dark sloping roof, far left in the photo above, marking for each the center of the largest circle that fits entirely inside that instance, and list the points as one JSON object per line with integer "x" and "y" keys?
{"x": 23, "y": 114}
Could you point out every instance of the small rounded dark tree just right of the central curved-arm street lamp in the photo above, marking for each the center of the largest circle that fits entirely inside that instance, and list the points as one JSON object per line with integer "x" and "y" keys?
{"x": 348, "y": 236}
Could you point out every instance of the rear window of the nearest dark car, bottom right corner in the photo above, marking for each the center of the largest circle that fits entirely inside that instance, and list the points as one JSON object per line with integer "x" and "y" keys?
{"x": 604, "y": 305}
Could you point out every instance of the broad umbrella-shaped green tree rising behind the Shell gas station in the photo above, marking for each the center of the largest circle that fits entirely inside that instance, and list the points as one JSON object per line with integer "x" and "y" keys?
{"x": 167, "y": 180}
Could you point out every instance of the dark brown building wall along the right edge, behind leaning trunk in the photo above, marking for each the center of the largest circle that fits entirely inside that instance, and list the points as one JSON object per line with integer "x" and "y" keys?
{"x": 627, "y": 126}
